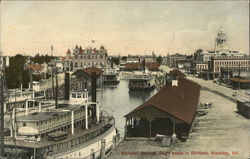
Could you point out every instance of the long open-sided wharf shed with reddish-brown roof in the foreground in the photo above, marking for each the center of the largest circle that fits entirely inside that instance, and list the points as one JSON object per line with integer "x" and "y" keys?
{"x": 170, "y": 111}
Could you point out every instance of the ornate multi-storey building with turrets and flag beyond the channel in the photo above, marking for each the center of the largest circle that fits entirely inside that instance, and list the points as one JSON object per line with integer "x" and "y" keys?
{"x": 89, "y": 57}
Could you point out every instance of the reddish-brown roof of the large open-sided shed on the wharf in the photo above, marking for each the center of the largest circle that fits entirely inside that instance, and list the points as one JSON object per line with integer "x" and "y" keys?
{"x": 178, "y": 101}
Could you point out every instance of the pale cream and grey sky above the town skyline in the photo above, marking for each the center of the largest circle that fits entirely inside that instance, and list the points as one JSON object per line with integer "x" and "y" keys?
{"x": 123, "y": 27}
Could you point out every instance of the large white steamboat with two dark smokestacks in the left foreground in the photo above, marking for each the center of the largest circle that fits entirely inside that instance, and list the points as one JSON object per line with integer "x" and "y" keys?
{"x": 75, "y": 127}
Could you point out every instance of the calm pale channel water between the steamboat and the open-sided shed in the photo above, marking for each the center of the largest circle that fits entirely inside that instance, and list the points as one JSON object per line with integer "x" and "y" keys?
{"x": 118, "y": 101}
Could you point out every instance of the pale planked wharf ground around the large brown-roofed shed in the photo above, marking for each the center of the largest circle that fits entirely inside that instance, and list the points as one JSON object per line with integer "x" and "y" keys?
{"x": 221, "y": 134}
